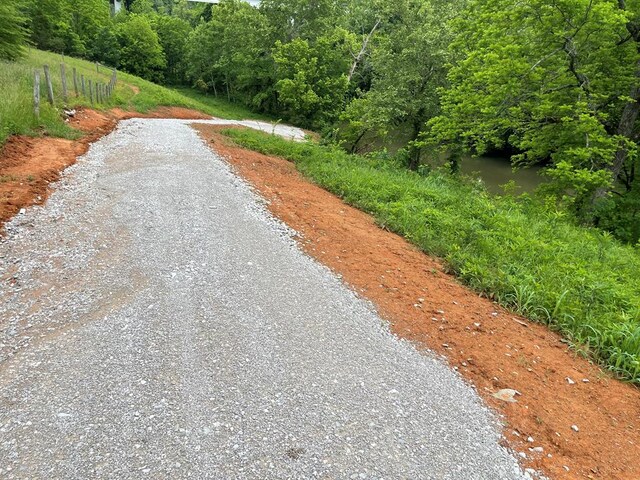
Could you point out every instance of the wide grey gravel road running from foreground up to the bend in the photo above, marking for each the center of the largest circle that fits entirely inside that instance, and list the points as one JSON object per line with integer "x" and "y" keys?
{"x": 157, "y": 323}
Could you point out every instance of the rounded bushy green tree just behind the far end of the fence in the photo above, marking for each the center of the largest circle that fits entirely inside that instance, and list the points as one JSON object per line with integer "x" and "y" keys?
{"x": 140, "y": 50}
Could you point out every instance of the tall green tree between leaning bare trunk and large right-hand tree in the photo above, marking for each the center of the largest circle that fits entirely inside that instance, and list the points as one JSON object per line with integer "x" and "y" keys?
{"x": 408, "y": 67}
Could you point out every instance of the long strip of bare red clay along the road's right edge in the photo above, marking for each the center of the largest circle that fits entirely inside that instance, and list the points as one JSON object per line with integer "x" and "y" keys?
{"x": 489, "y": 346}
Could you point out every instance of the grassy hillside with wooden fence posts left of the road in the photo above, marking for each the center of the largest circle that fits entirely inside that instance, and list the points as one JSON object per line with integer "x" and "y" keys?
{"x": 16, "y": 85}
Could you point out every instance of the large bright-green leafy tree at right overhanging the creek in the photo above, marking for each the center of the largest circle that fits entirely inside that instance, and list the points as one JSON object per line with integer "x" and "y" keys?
{"x": 557, "y": 82}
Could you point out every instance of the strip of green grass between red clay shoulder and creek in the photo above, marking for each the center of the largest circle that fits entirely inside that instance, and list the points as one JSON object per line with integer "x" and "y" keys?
{"x": 528, "y": 257}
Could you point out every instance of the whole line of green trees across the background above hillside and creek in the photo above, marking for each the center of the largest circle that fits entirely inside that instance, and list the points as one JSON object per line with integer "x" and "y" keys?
{"x": 555, "y": 83}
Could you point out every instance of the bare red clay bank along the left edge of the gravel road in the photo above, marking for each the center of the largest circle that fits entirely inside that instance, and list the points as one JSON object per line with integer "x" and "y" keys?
{"x": 28, "y": 165}
